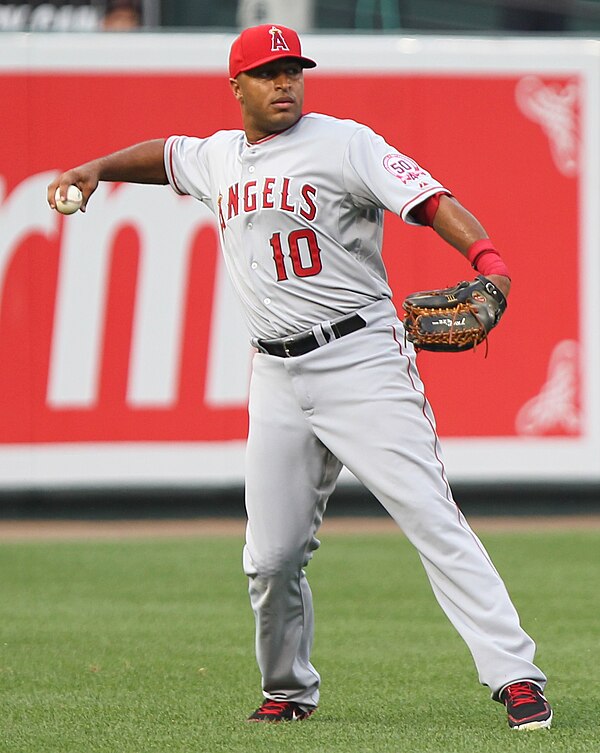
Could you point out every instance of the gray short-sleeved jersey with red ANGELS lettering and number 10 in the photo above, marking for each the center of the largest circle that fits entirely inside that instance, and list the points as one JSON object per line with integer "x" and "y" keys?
{"x": 305, "y": 203}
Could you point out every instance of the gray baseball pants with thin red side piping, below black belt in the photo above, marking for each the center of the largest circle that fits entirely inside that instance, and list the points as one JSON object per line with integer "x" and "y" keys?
{"x": 359, "y": 401}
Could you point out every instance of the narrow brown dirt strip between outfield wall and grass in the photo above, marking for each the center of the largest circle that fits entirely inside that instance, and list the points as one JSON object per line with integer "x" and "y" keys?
{"x": 28, "y": 530}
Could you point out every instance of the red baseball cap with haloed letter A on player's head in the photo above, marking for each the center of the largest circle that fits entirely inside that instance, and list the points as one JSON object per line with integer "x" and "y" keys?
{"x": 261, "y": 44}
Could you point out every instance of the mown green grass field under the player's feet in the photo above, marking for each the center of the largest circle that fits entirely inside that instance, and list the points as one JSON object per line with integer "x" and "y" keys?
{"x": 146, "y": 646}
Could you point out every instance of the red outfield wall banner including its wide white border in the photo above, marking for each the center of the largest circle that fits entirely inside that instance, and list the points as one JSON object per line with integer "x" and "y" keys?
{"x": 124, "y": 362}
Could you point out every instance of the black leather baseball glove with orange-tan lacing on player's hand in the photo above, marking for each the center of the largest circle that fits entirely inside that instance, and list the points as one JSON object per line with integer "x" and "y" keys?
{"x": 453, "y": 319}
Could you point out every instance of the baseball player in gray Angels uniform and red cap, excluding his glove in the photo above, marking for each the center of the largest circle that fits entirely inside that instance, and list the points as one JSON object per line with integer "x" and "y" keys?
{"x": 299, "y": 200}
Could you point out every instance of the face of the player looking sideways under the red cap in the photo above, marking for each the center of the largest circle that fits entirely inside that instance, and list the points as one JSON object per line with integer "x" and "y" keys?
{"x": 270, "y": 96}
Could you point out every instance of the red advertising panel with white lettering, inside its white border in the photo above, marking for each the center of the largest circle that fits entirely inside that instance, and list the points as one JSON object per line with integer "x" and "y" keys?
{"x": 118, "y": 327}
